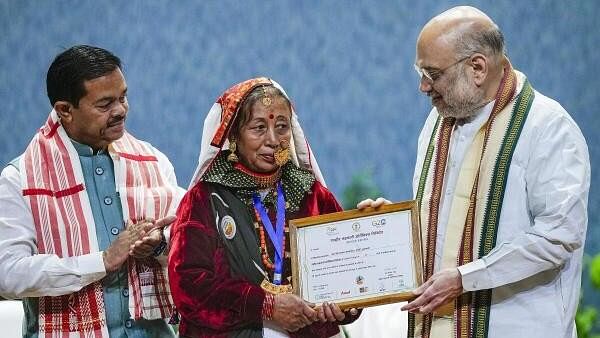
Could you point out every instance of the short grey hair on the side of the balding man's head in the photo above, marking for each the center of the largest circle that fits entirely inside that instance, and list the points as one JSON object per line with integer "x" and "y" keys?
{"x": 488, "y": 41}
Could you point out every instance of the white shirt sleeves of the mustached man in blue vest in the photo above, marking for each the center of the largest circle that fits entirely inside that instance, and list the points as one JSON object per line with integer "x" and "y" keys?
{"x": 25, "y": 273}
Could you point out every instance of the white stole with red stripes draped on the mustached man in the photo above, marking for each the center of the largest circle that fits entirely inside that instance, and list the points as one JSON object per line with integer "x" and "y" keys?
{"x": 54, "y": 186}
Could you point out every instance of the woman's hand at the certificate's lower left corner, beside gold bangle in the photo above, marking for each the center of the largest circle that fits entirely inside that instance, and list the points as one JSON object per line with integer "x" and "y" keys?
{"x": 292, "y": 313}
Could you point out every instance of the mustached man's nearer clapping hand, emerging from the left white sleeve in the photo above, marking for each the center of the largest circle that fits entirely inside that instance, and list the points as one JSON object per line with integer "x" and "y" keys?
{"x": 118, "y": 252}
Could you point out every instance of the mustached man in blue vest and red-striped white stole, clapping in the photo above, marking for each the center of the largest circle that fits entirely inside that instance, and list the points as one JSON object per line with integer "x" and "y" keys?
{"x": 84, "y": 211}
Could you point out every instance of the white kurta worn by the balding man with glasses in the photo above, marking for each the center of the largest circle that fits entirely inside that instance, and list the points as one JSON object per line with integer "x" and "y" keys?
{"x": 535, "y": 268}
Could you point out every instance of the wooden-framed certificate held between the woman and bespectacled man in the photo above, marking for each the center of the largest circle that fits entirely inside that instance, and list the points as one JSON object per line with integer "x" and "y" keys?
{"x": 358, "y": 258}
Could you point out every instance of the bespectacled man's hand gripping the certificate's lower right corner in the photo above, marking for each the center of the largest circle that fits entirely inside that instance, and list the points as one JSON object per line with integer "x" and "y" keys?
{"x": 442, "y": 287}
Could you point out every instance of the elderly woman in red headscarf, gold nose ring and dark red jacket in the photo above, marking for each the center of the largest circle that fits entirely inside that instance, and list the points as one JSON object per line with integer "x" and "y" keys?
{"x": 230, "y": 243}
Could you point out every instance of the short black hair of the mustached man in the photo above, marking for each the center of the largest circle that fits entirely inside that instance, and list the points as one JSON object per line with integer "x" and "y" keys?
{"x": 71, "y": 68}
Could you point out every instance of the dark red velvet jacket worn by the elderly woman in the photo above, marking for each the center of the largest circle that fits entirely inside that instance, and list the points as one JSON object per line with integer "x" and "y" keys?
{"x": 209, "y": 300}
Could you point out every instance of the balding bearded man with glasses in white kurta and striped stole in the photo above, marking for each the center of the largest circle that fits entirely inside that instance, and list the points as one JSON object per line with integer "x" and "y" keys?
{"x": 502, "y": 179}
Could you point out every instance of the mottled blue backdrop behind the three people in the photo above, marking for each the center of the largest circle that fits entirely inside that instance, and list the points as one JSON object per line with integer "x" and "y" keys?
{"x": 347, "y": 65}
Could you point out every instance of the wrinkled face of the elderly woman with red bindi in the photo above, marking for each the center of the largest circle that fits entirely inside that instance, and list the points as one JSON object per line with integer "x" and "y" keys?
{"x": 268, "y": 126}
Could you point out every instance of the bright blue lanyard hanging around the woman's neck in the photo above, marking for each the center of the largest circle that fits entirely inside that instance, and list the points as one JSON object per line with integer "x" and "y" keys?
{"x": 276, "y": 235}
